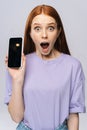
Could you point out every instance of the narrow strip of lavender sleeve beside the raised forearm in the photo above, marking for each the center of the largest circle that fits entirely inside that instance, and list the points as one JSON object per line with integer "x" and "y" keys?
{"x": 8, "y": 89}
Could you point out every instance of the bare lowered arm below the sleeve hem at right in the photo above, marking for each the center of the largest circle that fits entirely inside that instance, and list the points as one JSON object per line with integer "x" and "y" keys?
{"x": 73, "y": 121}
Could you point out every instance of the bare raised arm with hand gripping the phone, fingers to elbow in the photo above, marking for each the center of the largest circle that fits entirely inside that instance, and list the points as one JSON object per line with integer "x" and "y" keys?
{"x": 16, "y": 105}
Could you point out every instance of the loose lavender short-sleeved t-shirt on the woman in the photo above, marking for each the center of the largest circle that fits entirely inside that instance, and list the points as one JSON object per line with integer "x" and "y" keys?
{"x": 52, "y": 89}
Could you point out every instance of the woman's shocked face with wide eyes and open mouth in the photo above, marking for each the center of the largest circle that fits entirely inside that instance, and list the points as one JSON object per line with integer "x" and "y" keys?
{"x": 44, "y": 33}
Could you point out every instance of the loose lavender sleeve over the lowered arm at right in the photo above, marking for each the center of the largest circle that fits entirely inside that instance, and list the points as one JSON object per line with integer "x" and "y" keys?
{"x": 77, "y": 100}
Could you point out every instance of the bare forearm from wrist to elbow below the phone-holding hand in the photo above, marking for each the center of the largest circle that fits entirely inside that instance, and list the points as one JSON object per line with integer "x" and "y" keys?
{"x": 16, "y": 105}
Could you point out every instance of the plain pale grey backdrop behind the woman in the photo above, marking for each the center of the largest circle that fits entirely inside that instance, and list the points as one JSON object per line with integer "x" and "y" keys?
{"x": 13, "y": 15}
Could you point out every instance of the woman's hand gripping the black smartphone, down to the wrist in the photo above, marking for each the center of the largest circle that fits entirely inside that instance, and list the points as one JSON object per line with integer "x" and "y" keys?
{"x": 17, "y": 74}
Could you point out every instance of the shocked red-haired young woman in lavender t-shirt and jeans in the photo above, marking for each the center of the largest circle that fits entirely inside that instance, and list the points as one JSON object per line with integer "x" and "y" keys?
{"x": 47, "y": 92}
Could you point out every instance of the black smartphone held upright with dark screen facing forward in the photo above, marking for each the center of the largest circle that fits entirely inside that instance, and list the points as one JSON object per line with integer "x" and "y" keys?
{"x": 14, "y": 52}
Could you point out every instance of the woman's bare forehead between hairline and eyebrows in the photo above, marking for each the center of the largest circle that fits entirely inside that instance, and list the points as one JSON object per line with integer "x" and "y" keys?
{"x": 42, "y": 18}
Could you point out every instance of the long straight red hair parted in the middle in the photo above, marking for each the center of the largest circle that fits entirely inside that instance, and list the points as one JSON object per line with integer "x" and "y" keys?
{"x": 60, "y": 44}
